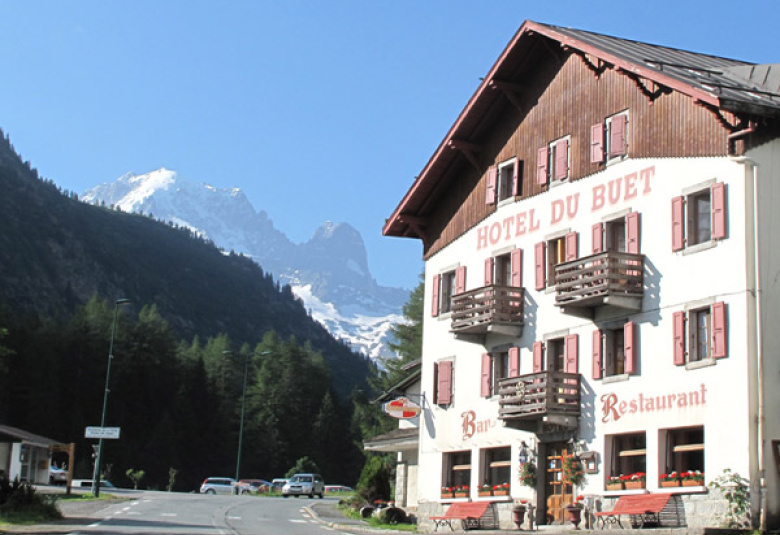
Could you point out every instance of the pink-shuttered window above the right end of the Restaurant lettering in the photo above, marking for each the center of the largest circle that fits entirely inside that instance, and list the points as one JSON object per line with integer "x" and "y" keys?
{"x": 705, "y": 330}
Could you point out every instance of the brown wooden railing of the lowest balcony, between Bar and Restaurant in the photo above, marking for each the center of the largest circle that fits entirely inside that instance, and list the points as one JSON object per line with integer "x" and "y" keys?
{"x": 540, "y": 394}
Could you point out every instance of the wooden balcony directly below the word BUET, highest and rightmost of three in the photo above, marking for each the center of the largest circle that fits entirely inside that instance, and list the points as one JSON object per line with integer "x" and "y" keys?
{"x": 601, "y": 279}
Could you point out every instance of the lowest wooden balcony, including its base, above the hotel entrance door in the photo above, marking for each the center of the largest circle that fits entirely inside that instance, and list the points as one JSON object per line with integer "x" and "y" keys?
{"x": 540, "y": 402}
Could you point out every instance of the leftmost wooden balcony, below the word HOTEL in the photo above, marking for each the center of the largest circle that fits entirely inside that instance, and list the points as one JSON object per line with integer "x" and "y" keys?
{"x": 488, "y": 309}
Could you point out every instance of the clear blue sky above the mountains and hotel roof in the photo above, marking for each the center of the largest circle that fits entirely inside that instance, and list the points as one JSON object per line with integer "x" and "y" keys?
{"x": 319, "y": 110}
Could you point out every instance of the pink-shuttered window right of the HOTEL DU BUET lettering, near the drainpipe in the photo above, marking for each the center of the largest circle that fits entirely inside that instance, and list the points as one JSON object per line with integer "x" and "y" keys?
{"x": 699, "y": 217}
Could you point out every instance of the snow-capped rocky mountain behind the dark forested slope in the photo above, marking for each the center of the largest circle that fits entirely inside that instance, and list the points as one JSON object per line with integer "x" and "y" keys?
{"x": 329, "y": 272}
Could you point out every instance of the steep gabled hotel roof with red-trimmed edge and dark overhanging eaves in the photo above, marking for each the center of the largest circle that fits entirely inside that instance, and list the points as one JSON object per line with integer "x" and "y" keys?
{"x": 725, "y": 84}
